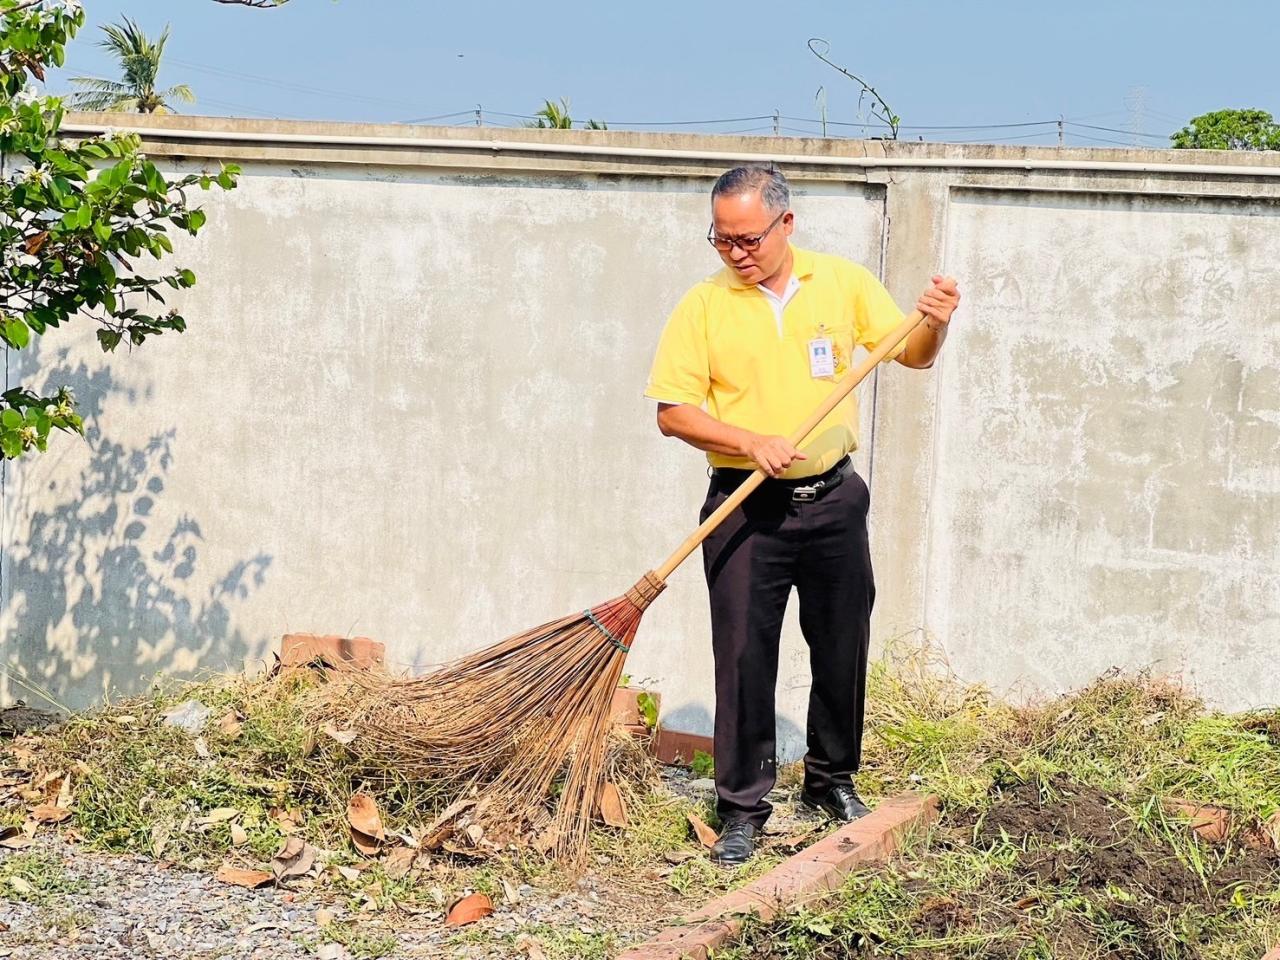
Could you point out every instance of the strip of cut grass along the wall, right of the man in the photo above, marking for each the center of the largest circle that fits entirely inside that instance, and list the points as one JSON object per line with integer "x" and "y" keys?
{"x": 1137, "y": 737}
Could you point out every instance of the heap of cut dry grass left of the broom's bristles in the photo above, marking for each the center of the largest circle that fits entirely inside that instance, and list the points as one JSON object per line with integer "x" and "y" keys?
{"x": 143, "y": 785}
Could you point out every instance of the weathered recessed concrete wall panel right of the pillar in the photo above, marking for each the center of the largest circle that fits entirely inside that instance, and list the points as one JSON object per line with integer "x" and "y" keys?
{"x": 1108, "y": 444}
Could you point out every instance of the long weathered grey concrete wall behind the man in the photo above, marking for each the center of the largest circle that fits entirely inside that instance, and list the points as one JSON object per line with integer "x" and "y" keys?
{"x": 409, "y": 406}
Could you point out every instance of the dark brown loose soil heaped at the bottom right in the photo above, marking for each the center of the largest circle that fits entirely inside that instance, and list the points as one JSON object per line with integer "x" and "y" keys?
{"x": 1087, "y": 883}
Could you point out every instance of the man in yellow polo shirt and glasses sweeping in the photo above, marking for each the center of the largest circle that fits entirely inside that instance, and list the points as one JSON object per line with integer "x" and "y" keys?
{"x": 762, "y": 344}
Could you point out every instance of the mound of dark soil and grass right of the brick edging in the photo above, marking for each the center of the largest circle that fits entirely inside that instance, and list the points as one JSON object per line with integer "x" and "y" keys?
{"x": 1049, "y": 870}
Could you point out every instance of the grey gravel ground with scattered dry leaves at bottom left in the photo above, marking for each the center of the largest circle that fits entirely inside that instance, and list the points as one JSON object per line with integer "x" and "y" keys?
{"x": 115, "y": 907}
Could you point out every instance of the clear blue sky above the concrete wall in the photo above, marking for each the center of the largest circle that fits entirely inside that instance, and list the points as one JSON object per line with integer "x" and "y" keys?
{"x": 1139, "y": 68}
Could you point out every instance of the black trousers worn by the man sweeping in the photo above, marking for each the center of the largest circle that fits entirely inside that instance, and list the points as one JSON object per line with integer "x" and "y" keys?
{"x": 752, "y": 561}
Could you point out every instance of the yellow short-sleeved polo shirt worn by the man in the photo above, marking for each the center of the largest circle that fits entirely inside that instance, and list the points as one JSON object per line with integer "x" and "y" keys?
{"x": 725, "y": 348}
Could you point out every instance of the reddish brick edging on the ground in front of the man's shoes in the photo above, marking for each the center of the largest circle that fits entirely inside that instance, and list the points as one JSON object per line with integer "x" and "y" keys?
{"x": 807, "y": 876}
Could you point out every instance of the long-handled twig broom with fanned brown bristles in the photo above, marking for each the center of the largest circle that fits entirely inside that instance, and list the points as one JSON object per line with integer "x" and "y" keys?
{"x": 513, "y": 724}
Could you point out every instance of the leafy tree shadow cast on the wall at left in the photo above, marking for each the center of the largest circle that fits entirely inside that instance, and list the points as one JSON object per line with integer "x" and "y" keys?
{"x": 102, "y": 593}
